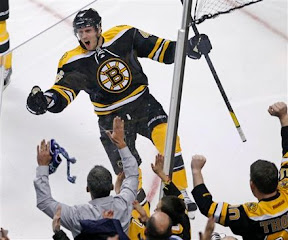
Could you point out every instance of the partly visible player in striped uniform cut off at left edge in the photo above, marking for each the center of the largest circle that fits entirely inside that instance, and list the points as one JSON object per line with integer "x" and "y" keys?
{"x": 5, "y": 57}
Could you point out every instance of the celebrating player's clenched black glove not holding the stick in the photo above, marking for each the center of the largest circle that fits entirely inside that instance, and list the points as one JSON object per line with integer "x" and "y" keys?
{"x": 36, "y": 101}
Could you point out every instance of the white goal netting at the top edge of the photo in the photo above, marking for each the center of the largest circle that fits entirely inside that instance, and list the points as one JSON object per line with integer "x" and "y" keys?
{"x": 205, "y": 9}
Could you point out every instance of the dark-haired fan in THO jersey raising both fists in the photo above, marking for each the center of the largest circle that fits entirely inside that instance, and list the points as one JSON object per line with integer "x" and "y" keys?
{"x": 265, "y": 219}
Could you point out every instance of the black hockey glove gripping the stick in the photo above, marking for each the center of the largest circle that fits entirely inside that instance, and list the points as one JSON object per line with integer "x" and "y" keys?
{"x": 198, "y": 45}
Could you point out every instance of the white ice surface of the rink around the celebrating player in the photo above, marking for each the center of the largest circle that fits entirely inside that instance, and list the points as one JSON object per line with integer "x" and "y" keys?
{"x": 249, "y": 54}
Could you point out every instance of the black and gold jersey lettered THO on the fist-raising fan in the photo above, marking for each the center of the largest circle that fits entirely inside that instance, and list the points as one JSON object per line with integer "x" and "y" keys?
{"x": 266, "y": 219}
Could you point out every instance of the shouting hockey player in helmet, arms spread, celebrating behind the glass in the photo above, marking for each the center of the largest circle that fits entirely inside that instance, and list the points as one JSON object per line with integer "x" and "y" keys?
{"x": 106, "y": 67}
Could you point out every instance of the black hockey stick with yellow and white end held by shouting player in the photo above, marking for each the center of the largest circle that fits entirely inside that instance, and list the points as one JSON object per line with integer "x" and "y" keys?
{"x": 220, "y": 87}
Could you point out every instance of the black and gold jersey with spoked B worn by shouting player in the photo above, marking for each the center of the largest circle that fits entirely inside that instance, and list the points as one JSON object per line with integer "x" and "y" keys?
{"x": 111, "y": 75}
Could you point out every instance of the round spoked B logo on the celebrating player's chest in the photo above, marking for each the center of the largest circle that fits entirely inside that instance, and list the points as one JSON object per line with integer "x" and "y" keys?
{"x": 114, "y": 75}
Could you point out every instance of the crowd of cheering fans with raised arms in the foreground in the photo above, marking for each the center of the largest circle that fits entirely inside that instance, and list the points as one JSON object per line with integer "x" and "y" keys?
{"x": 110, "y": 217}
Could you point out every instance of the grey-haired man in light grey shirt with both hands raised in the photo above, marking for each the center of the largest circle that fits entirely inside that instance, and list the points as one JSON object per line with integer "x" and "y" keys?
{"x": 99, "y": 184}
